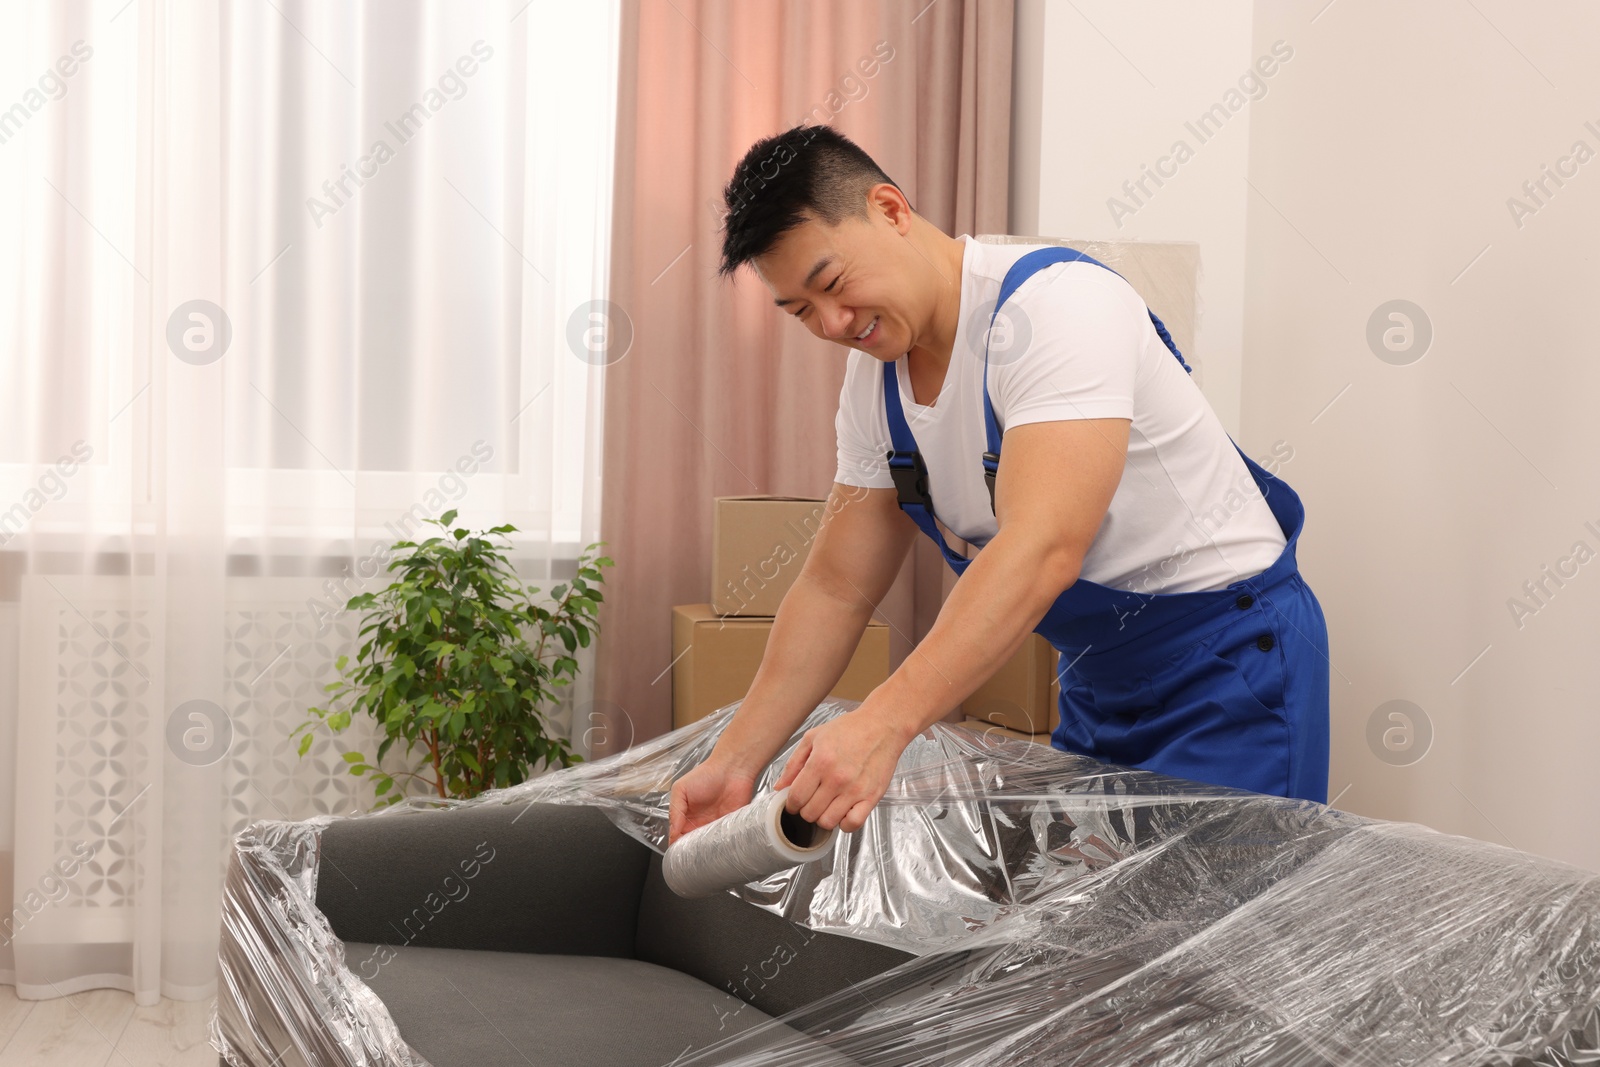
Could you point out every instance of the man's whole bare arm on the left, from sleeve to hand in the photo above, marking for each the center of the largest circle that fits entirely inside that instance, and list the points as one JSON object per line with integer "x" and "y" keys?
{"x": 855, "y": 557}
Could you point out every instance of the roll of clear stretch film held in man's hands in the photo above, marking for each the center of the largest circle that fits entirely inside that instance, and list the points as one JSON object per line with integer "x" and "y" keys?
{"x": 746, "y": 845}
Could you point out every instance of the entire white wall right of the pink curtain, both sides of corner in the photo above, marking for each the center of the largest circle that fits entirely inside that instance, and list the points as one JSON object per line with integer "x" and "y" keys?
{"x": 1378, "y": 167}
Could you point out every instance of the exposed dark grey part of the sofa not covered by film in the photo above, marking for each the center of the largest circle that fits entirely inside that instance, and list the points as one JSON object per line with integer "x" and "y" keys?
{"x": 447, "y": 916}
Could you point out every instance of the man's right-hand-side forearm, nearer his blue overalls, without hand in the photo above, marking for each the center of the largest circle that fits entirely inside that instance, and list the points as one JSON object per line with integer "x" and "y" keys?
{"x": 999, "y": 601}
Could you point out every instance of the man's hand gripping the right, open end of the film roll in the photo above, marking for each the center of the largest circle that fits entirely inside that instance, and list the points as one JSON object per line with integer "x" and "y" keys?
{"x": 842, "y": 769}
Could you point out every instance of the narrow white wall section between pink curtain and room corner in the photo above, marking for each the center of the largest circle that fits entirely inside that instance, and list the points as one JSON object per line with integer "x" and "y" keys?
{"x": 1105, "y": 92}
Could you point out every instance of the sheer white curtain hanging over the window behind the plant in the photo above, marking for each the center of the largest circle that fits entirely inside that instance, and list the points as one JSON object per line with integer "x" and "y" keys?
{"x": 278, "y": 281}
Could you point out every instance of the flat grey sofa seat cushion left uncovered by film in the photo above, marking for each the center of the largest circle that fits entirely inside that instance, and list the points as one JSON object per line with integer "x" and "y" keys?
{"x": 463, "y": 1009}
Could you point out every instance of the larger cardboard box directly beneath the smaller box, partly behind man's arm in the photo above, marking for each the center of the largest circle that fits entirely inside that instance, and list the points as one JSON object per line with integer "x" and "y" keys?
{"x": 714, "y": 660}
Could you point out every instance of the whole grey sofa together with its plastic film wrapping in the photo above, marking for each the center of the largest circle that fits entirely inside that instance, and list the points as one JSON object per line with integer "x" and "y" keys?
{"x": 1006, "y": 903}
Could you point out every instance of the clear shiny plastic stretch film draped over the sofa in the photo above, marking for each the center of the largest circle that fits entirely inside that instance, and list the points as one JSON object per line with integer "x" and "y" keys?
{"x": 1060, "y": 913}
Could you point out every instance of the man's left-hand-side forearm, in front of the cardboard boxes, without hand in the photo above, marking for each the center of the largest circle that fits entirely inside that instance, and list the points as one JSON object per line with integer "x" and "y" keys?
{"x": 814, "y": 637}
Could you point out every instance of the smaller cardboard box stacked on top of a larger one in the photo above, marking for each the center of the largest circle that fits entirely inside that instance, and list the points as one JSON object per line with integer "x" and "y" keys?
{"x": 758, "y": 549}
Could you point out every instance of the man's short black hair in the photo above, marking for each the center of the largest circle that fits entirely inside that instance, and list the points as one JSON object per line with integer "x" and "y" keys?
{"x": 807, "y": 172}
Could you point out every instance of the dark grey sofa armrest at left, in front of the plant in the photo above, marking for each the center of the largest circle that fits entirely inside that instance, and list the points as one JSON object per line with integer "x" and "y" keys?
{"x": 554, "y": 879}
